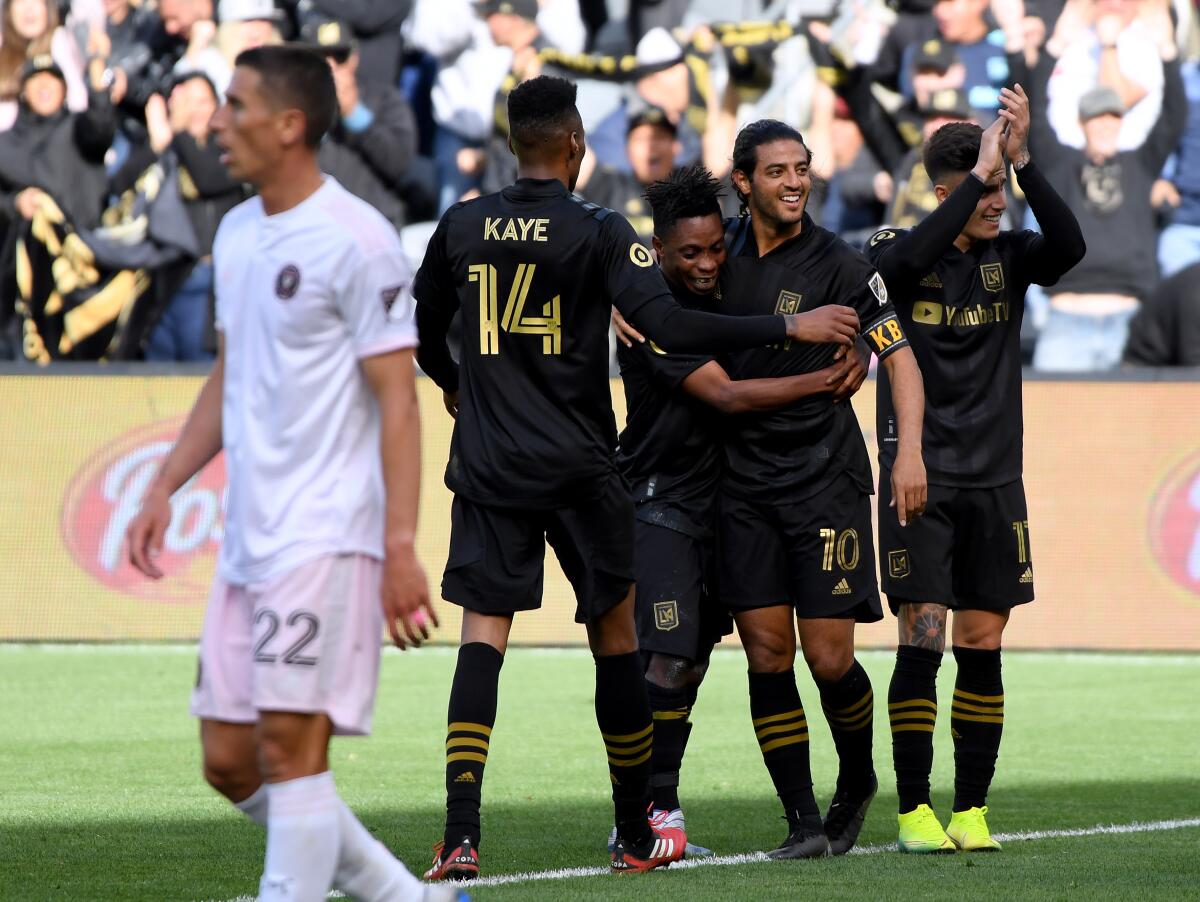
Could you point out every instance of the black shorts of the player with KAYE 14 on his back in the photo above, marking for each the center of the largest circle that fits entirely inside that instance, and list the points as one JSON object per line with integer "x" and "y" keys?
{"x": 497, "y": 555}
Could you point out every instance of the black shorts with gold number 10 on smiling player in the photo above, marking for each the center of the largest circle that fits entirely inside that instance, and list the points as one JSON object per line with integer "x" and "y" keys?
{"x": 815, "y": 555}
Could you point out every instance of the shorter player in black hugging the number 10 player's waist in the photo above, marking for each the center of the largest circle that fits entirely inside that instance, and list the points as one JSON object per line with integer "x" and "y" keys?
{"x": 671, "y": 455}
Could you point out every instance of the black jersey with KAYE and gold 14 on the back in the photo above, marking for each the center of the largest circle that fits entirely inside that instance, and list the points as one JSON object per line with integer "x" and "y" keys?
{"x": 536, "y": 273}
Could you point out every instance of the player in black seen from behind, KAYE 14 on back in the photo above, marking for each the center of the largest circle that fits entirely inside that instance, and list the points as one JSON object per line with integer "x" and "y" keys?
{"x": 536, "y": 273}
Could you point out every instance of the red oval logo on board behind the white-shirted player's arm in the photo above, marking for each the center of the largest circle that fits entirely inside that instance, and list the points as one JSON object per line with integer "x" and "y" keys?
{"x": 106, "y": 495}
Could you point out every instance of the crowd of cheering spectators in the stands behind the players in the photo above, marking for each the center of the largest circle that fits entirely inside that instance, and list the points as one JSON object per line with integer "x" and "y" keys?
{"x": 112, "y": 189}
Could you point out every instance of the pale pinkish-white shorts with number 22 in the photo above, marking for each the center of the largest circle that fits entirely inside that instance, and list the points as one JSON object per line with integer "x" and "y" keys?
{"x": 308, "y": 641}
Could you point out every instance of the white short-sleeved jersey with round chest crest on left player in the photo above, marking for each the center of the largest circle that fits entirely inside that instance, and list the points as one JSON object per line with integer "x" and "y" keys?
{"x": 302, "y": 297}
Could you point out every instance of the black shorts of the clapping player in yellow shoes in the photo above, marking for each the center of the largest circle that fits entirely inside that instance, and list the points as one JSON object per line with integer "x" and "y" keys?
{"x": 970, "y": 550}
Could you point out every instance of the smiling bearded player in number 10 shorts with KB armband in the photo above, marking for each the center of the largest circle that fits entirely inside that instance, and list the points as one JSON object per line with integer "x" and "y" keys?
{"x": 796, "y": 524}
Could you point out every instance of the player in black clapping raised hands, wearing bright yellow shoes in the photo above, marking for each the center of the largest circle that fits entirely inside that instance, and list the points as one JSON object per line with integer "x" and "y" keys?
{"x": 959, "y": 286}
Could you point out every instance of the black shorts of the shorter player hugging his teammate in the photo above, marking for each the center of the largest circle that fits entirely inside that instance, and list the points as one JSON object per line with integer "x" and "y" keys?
{"x": 677, "y": 611}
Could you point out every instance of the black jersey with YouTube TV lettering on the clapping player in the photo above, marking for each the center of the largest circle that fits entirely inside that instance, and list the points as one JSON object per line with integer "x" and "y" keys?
{"x": 964, "y": 323}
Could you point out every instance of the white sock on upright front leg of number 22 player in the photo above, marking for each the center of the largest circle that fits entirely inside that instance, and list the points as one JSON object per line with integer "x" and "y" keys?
{"x": 302, "y": 840}
